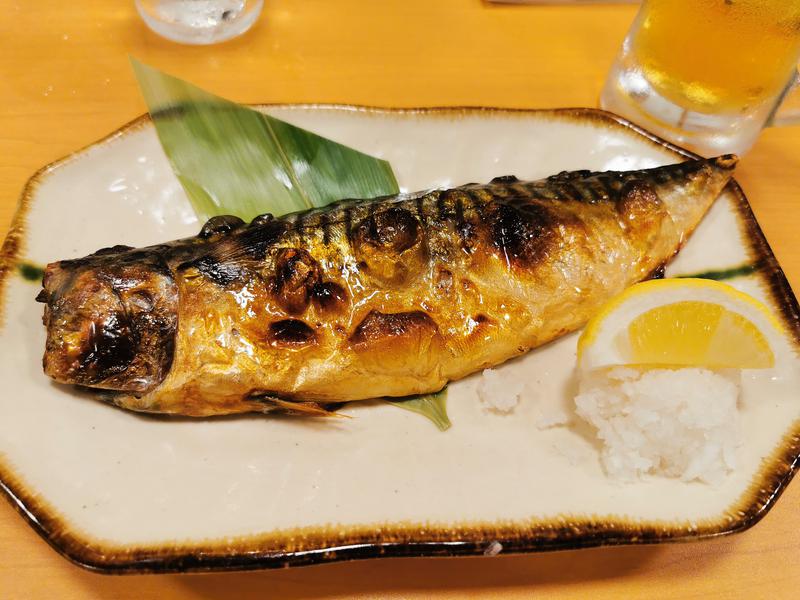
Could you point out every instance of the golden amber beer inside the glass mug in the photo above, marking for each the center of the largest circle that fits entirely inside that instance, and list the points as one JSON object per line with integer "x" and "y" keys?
{"x": 714, "y": 56}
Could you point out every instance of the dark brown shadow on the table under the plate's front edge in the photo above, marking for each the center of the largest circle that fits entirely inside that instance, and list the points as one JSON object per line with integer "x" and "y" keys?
{"x": 405, "y": 576}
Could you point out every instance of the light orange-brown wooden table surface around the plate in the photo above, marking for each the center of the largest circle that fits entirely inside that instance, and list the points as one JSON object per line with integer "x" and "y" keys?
{"x": 66, "y": 82}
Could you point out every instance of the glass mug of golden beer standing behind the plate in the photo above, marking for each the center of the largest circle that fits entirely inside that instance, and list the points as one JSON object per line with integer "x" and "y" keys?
{"x": 708, "y": 74}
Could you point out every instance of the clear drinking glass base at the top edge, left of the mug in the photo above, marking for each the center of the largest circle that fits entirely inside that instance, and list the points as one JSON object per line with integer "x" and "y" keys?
{"x": 199, "y": 21}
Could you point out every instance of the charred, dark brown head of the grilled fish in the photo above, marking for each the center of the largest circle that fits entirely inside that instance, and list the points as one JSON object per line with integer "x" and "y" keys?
{"x": 111, "y": 321}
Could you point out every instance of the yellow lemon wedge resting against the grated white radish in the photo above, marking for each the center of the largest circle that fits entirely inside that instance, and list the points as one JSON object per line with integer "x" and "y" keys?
{"x": 683, "y": 323}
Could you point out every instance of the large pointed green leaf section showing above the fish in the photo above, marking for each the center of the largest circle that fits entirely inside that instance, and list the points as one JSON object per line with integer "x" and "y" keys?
{"x": 231, "y": 159}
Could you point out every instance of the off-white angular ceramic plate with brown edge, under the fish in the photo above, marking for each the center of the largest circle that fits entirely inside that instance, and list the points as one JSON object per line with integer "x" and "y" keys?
{"x": 116, "y": 491}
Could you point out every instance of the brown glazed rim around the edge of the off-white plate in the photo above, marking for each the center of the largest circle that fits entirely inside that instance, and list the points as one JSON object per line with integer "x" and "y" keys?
{"x": 315, "y": 545}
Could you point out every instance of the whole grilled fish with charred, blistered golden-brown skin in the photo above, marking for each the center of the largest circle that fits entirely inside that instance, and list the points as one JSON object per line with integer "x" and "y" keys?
{"x": 388, "y": 297}
